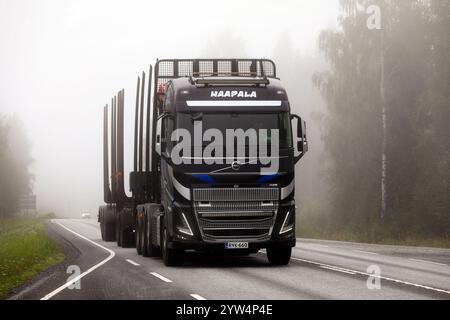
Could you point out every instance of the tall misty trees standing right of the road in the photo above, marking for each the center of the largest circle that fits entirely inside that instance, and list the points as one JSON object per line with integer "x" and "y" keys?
{"x": 413, "y": 46}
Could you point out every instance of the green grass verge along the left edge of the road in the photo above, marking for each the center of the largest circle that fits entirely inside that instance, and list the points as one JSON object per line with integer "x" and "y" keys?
{"x": 25, "y": 250}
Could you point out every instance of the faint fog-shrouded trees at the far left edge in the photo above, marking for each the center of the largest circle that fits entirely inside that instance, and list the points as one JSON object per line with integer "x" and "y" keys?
{"x": 15, "y": 159}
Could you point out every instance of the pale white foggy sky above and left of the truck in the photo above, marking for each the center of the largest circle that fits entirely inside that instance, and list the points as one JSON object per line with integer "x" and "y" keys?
{"x": 61, "y": 61}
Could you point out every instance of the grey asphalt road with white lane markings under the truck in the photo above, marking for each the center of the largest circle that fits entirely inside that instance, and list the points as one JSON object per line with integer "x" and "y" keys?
{"x": 319, "y": 270}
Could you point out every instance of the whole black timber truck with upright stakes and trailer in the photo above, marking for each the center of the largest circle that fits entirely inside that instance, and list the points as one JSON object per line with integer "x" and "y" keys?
{"x": 214, "y": 162}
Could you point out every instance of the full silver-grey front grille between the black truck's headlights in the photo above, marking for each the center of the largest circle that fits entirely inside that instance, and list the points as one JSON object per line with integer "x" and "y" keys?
{"x": 236, "y": 213}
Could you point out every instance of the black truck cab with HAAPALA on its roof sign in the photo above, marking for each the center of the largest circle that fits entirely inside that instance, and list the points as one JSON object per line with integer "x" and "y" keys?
{"x": 224, "y": 199}
